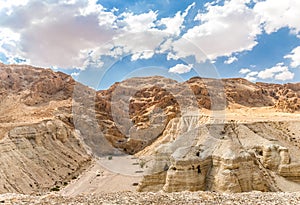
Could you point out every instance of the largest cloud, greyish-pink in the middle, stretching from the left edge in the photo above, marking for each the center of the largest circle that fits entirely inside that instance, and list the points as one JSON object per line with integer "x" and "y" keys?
{"x": 74, "y": 33}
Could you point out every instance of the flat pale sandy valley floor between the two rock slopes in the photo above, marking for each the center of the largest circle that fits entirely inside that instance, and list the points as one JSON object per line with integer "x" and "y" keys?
{"x": 107, "y": 175}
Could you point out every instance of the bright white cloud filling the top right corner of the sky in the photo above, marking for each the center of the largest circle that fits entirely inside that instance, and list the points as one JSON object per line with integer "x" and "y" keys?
{"x": 276, "y": 14}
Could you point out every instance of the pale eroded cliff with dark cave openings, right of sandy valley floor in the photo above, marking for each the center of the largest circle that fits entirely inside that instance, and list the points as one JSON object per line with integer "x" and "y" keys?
{"x": 223, "y": 157}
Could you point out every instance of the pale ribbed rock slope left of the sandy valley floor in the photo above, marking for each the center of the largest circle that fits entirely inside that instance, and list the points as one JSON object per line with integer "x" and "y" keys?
{"x": 40, "y": 156}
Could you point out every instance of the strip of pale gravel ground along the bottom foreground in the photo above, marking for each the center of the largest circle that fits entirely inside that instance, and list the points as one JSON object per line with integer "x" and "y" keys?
{"x": 157, "y": 198}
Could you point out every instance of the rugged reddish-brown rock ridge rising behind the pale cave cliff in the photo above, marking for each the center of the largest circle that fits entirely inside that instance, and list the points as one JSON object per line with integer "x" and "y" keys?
{"x": 133, "y": 114}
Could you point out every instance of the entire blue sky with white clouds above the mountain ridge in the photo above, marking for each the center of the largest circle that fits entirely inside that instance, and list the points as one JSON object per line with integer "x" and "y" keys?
{"x": 100, "y": 42}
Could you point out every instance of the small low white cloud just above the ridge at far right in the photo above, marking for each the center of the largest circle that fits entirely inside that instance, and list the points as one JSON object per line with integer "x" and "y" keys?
{"x": 278, "y": 72}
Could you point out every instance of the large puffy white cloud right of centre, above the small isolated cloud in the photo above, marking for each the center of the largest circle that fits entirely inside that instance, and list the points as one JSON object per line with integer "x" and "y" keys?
{"x": 224, "y": 29}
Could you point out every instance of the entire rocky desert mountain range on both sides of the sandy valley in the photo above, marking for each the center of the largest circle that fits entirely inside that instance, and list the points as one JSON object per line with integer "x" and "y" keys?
{"x": 227, "y": 135}
